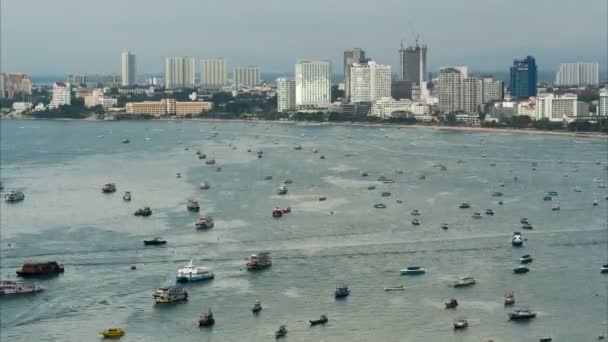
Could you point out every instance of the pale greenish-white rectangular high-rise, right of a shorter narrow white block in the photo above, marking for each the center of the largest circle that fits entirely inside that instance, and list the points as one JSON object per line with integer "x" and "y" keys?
{"x": 313, "y": 83}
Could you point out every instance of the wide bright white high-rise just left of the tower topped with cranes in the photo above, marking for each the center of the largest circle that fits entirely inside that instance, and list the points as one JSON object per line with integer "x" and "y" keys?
{"x": 369, "y": 82}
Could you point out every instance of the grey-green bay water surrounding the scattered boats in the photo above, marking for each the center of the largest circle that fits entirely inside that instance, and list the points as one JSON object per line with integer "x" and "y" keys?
{"x": 61, "y": 165}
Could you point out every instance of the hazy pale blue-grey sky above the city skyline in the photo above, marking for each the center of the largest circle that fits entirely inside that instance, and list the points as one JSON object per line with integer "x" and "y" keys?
{"x": 64, "y": 36}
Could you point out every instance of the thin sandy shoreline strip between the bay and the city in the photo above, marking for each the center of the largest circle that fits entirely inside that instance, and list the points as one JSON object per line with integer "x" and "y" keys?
{"x": 361, "y": 124}
